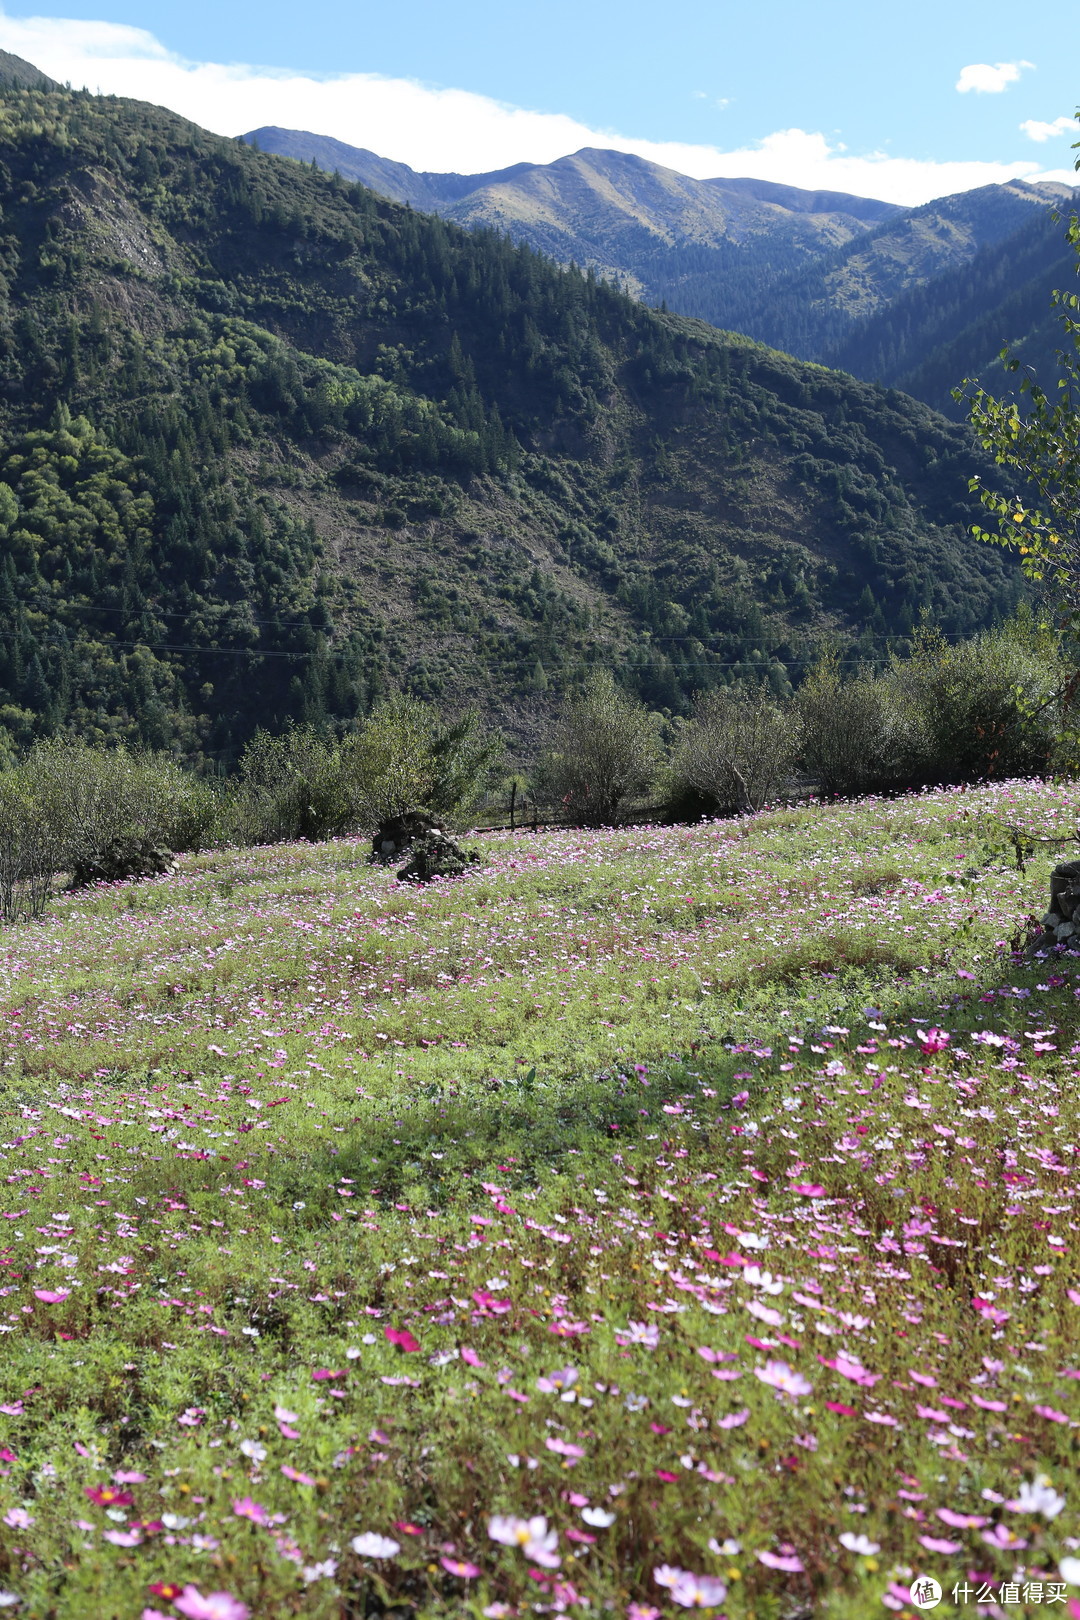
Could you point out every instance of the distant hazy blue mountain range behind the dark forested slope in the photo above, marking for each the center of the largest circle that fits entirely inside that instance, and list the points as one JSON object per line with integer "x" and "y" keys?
{"x": 853, "y": 283}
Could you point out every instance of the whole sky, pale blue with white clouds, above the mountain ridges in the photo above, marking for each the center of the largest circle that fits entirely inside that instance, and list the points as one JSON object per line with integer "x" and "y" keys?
{"x": 904, "y": 101}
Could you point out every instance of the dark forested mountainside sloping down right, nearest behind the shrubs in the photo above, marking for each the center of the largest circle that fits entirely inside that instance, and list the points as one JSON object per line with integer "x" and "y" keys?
{"x": 273, "y": 445}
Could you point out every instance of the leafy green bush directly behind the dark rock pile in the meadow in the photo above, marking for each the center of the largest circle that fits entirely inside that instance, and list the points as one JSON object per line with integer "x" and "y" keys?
{"x": 407, "y": 759}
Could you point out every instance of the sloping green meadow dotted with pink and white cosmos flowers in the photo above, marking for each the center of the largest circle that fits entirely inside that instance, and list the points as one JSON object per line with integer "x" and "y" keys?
{"x": 661, "y": 1219}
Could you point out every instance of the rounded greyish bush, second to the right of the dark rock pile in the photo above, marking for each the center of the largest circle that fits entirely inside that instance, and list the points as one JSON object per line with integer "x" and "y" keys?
{"x": 738, "y": 752}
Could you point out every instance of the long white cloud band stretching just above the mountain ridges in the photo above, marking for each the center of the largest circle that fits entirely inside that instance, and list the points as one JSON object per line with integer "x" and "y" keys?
{"x": 448, "y": 129}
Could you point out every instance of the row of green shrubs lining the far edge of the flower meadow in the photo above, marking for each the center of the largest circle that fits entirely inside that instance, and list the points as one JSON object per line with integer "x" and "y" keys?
{"x": 950, "y": 714}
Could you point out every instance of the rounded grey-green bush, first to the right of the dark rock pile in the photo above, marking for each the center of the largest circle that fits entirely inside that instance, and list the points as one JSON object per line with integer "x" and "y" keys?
{"x": 603, "y": 749}
